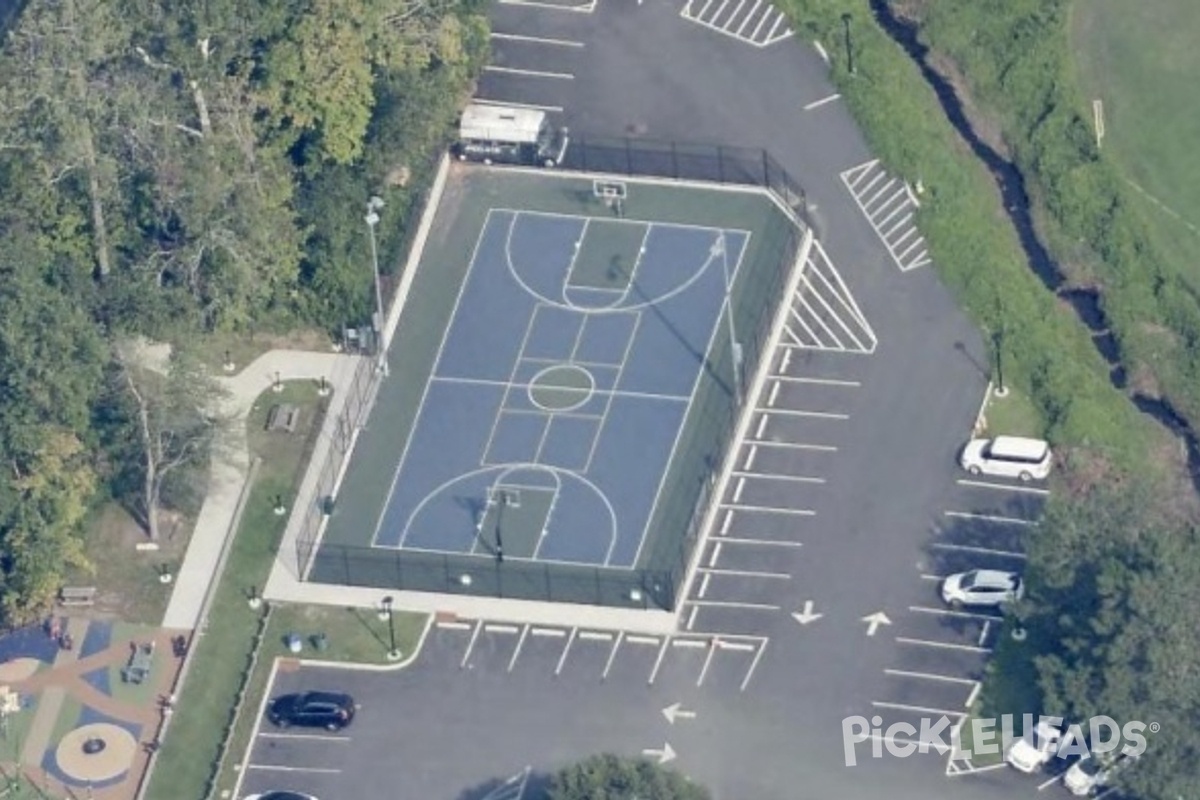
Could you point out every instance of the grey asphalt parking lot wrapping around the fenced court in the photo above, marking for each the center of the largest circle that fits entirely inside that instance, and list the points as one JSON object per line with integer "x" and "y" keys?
{"x": 818, "y": 594}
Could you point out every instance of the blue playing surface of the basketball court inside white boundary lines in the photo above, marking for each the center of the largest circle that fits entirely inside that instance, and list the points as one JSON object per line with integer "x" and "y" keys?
{"x": 562, "y": 388}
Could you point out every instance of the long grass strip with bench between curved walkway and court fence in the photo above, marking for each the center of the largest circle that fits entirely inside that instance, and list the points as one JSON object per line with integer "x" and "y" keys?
{"x": 190, "y": 753}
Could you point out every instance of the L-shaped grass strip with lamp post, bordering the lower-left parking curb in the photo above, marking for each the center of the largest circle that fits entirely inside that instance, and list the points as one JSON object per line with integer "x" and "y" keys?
{"x": 353, "y": 635}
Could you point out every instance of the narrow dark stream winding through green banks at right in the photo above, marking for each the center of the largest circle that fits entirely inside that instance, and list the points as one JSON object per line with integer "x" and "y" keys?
{"x": 1085, "y": 303}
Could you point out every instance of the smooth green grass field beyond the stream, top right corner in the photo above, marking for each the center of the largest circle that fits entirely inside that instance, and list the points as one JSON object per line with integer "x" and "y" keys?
{"x": 1141, "y": 61}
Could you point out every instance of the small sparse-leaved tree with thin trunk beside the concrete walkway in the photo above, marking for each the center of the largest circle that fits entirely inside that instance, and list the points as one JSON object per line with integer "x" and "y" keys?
{"x": 177, "y": 419}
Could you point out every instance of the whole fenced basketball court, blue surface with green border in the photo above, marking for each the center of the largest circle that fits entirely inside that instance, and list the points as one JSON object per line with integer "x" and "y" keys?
{"x": 574, "y": 390}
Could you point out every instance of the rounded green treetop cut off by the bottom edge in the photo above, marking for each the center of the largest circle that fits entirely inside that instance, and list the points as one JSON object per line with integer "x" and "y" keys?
{"x": 613, "y": 778}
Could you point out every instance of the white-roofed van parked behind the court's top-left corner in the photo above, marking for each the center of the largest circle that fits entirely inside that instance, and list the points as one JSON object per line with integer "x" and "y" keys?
{"x": 508, "y": 135}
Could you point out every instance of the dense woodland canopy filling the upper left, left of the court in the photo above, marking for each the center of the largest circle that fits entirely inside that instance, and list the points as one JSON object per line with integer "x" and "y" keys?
{"x": 172, "y": 171}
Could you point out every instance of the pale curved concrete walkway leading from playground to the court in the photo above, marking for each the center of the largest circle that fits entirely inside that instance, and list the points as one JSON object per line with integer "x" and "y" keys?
{"x": 231, "y": 464}
